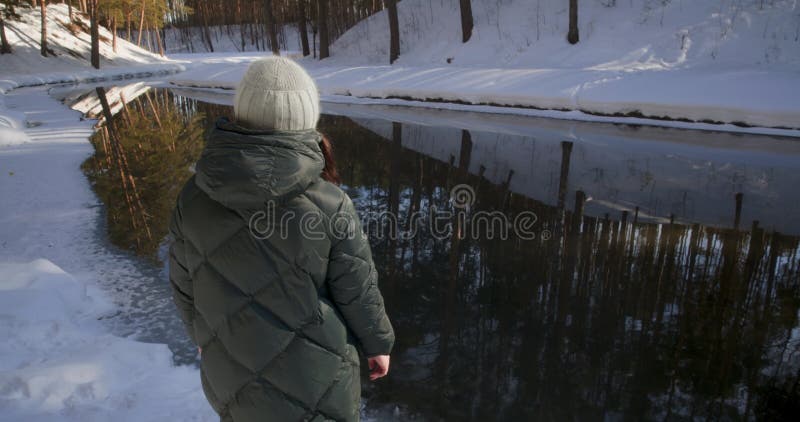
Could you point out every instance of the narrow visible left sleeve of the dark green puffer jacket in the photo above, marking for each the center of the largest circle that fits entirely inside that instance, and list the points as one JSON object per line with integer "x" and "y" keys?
{"x": 179, "y": 278}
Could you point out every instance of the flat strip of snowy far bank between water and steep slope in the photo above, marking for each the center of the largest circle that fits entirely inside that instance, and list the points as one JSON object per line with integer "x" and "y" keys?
{"x": 689, "y": 99}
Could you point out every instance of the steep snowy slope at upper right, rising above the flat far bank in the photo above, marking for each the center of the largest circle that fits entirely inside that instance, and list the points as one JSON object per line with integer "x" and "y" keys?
{"x": 631, "y": 35}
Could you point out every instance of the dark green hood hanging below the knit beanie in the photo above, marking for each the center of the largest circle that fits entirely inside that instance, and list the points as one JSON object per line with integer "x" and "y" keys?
{"x": 245, "y": 168}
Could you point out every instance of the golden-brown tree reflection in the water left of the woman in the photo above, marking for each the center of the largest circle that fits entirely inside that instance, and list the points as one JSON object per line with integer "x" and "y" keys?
{"x": 140, "y": 166}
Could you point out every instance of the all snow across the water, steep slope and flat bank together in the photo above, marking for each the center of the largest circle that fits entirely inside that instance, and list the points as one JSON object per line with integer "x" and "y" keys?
{"x": 703, "y": 61}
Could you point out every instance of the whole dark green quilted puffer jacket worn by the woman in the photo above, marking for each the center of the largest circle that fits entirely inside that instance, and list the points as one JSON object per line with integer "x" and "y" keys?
{"x": 278, "y": 316}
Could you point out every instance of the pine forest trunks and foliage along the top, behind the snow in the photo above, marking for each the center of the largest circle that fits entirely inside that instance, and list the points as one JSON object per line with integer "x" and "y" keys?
{"x": 258, "y": 22}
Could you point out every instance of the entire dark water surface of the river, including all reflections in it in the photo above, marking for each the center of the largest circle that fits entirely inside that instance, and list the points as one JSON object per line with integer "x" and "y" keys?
{"x": 639, "y": 292}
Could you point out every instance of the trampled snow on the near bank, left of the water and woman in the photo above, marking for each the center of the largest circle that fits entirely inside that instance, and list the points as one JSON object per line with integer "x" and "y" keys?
{"x": 56, "y": 273}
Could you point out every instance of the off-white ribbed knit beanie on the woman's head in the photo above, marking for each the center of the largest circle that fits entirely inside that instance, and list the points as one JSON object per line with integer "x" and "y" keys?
{"x": 276, "y": 94}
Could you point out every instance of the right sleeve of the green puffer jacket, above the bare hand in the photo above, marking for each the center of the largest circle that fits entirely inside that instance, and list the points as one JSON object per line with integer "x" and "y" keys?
{"x": 353, "y": 283}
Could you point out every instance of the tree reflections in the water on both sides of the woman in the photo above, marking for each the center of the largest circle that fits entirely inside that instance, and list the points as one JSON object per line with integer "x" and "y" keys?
{"x": 612, "y": 317}
